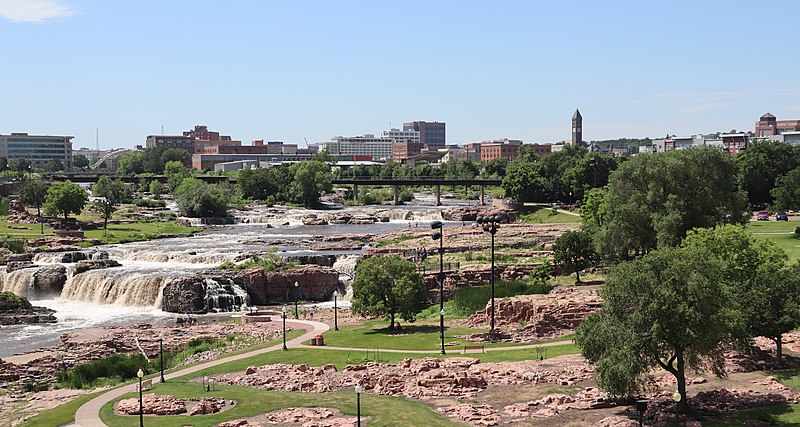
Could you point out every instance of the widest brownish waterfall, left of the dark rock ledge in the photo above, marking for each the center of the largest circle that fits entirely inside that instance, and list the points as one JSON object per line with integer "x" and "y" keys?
{"x": 117, "y": 286}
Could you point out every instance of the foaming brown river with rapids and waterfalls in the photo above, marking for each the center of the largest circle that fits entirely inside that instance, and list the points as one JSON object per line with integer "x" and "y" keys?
{"x": 132, "y": 293}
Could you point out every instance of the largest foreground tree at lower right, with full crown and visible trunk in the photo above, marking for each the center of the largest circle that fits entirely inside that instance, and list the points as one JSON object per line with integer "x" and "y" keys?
{"x": 673, "y": 309}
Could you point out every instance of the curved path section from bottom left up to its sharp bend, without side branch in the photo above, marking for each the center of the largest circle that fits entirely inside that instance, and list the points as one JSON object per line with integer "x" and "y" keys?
{"x": 88, "y": 415}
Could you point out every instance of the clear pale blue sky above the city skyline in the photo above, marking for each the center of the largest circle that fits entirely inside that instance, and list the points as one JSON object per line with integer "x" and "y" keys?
{"x": 315, "y": 69}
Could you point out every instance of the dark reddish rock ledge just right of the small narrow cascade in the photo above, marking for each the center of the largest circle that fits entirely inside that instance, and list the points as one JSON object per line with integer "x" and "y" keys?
{"x": 315, "y": 283}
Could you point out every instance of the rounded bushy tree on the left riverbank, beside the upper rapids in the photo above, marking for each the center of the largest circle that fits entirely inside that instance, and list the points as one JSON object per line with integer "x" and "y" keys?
{"x": 198, "y": 199}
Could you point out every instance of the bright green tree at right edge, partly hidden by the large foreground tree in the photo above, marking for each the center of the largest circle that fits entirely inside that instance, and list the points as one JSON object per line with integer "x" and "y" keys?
{"x": 767, "y": 289}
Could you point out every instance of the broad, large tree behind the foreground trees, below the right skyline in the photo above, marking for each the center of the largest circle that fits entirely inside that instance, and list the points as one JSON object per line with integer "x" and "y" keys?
{"x": 655, "y": 199}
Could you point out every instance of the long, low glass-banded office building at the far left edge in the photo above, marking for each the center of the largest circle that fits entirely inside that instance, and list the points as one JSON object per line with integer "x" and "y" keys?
{"x": 38, "y": 149}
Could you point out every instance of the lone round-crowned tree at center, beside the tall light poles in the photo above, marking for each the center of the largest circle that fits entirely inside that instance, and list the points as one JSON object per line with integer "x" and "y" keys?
{"x": 388, "y": 286}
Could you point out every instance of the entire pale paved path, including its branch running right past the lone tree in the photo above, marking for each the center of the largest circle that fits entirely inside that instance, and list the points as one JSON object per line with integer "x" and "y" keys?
{"x": 88, "y": 415}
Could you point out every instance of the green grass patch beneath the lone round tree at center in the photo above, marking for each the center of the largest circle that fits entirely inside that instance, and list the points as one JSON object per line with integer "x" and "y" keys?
{"x": 415, "y": 336}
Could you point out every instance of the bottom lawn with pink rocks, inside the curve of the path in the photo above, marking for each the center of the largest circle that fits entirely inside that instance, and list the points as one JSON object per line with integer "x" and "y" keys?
{"x": 383, "y": 410}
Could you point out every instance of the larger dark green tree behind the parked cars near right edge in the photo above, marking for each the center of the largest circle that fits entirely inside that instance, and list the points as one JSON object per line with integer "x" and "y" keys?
{"x": 761, "y": 165}
